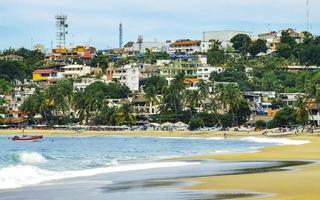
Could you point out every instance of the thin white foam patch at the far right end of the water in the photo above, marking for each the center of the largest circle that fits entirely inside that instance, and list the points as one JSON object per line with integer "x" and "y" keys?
{"x": 280, "y": 141}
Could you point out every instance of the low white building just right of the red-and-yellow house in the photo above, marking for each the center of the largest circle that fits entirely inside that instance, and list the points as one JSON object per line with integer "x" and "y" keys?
{"x": 73, "y": 71}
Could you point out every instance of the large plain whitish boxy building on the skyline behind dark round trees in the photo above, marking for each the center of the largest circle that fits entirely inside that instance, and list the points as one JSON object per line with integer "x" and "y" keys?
{"x": 223, "y": 36}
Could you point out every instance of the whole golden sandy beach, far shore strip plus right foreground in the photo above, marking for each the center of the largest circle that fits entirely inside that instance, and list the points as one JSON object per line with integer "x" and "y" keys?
{"x": 299, "y": 183}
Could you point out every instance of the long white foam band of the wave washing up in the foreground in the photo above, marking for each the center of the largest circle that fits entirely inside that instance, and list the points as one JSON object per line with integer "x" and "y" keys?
{"x": 24, "y": 175}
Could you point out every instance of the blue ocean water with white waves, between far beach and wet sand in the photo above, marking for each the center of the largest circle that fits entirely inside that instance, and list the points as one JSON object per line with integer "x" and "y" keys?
{"x": 56, "y": 158}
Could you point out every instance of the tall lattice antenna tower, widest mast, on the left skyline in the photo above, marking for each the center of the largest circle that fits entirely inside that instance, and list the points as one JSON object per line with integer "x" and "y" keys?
{"x": 61, "y": 25}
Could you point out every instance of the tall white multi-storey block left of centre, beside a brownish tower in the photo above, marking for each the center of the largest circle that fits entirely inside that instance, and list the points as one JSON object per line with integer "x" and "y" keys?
{"x": 128, "y": 75}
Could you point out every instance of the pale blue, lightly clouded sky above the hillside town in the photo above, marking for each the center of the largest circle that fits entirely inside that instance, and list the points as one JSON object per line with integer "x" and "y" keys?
{"x": 24, "y": 23}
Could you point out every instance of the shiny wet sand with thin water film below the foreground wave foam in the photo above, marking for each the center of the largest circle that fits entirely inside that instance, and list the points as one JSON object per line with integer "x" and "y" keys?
{"x": 152, "y": 184}
